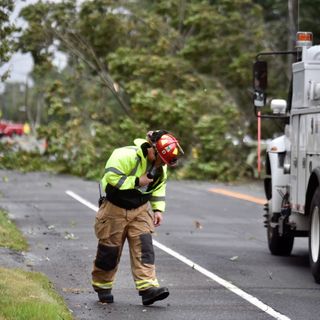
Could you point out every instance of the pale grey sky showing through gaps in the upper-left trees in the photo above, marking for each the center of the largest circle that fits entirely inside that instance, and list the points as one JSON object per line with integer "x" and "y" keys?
{"x": 20, "y": 64}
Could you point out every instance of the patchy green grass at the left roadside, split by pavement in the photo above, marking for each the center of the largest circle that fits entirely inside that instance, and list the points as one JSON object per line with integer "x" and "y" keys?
{"x": 26, "y": 295}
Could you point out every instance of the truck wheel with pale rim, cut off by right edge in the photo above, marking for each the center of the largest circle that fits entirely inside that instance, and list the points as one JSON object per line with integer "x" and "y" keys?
{"x": 314, "y": 236}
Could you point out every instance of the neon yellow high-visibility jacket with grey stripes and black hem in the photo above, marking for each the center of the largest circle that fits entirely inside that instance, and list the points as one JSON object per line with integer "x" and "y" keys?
{"x": 122, "y": 172}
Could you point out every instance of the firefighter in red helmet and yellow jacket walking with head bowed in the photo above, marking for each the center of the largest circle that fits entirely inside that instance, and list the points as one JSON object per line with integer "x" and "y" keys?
{"x": 135, "y": 185}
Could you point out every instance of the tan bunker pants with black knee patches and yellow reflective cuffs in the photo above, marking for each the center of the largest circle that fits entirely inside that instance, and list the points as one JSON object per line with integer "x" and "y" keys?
{"x": 112, "y": 227}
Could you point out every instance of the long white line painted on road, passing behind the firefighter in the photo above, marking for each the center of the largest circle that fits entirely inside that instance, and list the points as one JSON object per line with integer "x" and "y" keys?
{"x": 248, "y": 297}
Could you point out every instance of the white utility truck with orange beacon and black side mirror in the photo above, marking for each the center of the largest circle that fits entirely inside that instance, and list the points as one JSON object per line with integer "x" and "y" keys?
{"x": 292, "y": 183}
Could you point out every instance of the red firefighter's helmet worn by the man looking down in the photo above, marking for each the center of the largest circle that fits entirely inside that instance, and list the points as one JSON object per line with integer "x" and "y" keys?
{"x": 168, "y": 149}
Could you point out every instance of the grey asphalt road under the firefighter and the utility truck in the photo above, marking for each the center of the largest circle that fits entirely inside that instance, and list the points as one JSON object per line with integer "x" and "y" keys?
{"x": 231, "y": 274}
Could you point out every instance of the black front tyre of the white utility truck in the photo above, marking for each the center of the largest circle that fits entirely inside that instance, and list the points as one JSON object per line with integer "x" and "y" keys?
{"x": 279, "y": 245}
